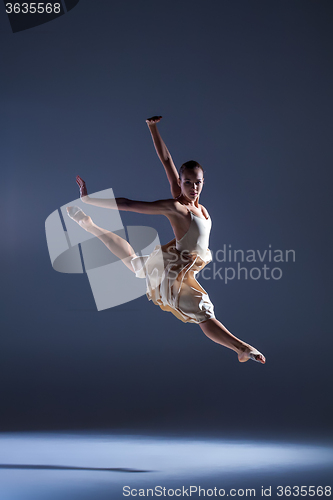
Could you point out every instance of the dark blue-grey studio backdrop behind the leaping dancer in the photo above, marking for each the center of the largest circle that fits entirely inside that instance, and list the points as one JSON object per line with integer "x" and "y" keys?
{"x": 244, "y": 88}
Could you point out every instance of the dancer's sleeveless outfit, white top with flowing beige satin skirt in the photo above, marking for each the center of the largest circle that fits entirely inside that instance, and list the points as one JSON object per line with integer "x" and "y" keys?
{"x": 170, "y": 272}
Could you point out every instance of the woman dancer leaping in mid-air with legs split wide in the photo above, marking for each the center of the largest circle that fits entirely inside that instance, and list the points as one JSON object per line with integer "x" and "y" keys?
{"x": 170, "y": 269}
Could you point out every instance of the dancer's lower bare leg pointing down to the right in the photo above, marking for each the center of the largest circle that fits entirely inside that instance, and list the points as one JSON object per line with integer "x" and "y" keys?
{"x": 218, "y": 333}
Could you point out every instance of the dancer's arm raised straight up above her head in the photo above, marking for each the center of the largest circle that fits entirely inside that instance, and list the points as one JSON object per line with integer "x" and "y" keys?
{"x": 164, "y": 155}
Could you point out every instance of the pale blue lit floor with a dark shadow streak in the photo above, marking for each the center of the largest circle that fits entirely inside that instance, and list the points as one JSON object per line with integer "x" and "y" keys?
{"x": 106, "y": 466}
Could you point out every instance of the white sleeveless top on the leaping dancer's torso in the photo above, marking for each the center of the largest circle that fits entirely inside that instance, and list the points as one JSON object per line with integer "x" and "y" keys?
{"x": 197, "y": 237}
